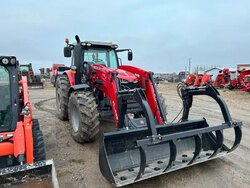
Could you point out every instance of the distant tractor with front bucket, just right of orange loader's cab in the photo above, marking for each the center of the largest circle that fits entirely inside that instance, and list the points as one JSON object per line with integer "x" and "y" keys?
{"x": 34, "y": 81}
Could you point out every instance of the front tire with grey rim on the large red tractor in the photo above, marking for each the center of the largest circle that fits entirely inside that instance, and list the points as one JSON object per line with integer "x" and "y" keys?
{"x": 83, "y": 116}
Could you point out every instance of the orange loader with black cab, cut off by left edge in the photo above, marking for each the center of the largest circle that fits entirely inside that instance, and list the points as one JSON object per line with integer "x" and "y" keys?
{"x": 22, "y": 154}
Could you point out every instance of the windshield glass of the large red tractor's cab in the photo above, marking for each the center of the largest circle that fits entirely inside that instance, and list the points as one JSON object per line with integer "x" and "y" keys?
{"x": 106, "y": 57}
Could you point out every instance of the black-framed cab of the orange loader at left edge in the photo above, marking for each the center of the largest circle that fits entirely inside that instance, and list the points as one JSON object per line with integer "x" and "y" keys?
{"x": 8, "y": 93}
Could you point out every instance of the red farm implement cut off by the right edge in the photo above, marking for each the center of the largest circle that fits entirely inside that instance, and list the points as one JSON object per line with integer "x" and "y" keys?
{"x": 242, "y": 82}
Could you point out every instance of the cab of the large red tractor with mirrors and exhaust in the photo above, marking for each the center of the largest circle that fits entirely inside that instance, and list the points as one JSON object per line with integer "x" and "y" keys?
{"x": 91, "y": 52}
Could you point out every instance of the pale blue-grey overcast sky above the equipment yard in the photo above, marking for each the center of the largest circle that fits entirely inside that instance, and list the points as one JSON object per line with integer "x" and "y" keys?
{"x": 162, "y": 34}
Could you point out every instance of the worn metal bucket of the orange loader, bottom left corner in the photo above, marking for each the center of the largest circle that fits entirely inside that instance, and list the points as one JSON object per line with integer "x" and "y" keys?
{"x": 38, "y": 174}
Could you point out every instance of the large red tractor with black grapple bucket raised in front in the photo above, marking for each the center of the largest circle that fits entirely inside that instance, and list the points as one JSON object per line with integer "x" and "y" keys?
{"x": 144, "y": 144}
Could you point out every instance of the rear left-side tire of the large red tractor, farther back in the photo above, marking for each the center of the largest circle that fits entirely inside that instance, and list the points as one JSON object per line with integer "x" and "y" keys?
{"x": 62, "y": 97}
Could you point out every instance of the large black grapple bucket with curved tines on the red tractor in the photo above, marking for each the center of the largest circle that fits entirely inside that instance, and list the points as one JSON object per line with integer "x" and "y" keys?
{"x": 129, "y": 156}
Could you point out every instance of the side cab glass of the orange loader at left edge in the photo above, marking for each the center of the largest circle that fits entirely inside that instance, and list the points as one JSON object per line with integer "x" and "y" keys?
{"x": 5, "y": 104}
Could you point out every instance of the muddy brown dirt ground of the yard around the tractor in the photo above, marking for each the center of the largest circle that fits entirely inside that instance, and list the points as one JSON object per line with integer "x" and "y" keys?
{"x": 77, "y": 165}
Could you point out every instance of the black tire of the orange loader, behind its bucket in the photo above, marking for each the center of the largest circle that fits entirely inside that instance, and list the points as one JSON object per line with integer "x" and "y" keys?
{"x": 38, "y": 143}
